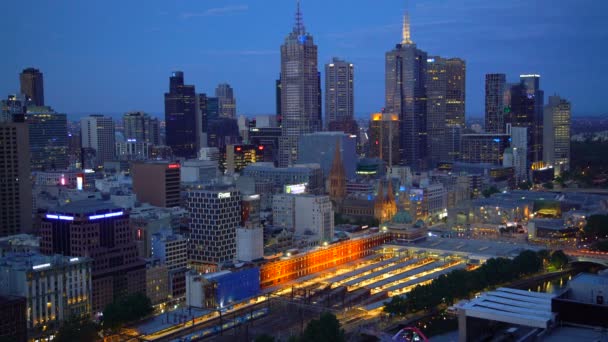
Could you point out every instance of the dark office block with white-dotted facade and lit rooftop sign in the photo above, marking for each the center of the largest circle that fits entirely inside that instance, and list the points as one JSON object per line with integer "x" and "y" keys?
{"x": 214, "y": 216}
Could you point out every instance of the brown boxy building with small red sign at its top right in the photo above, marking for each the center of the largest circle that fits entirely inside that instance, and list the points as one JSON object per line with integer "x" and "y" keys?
{"x": 157, "y": 183}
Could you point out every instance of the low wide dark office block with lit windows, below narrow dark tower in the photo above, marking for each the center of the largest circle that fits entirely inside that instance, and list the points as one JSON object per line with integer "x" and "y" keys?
{"x": 483, "y": 148}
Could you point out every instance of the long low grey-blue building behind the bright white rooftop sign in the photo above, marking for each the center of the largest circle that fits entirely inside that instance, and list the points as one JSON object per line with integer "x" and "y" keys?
{"x": 311, "y": 174}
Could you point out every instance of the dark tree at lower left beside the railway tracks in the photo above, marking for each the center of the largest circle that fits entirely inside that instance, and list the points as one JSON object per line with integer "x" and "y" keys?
{"x": 126, "y": 309}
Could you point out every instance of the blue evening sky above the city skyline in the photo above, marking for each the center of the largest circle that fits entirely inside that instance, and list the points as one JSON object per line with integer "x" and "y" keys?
{"x": 115, "y": 56}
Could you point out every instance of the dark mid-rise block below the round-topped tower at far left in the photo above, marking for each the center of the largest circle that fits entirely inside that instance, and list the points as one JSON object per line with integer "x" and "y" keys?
{"x": 48, "y": 135}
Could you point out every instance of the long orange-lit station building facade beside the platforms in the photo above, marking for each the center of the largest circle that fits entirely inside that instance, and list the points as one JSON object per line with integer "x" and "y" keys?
{"x": 318, "y": 260}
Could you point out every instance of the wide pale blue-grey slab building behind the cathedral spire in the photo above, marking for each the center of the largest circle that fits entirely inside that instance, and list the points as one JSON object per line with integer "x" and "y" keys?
{"x": 319, "y": 148}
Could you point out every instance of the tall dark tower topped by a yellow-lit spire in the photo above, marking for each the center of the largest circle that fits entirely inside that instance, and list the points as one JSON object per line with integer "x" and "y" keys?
{"x": 405, "y": 82}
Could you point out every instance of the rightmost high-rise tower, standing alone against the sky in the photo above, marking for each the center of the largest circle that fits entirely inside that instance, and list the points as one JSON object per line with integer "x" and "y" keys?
{"x": 556, "y": 136}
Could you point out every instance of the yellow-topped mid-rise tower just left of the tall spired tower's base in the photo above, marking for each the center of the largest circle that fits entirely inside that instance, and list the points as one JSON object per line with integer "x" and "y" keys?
{"x": 384, "y": 130}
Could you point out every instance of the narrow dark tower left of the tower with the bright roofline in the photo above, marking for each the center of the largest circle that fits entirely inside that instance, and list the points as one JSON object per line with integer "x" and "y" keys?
{"x": 495, "y": 115}
